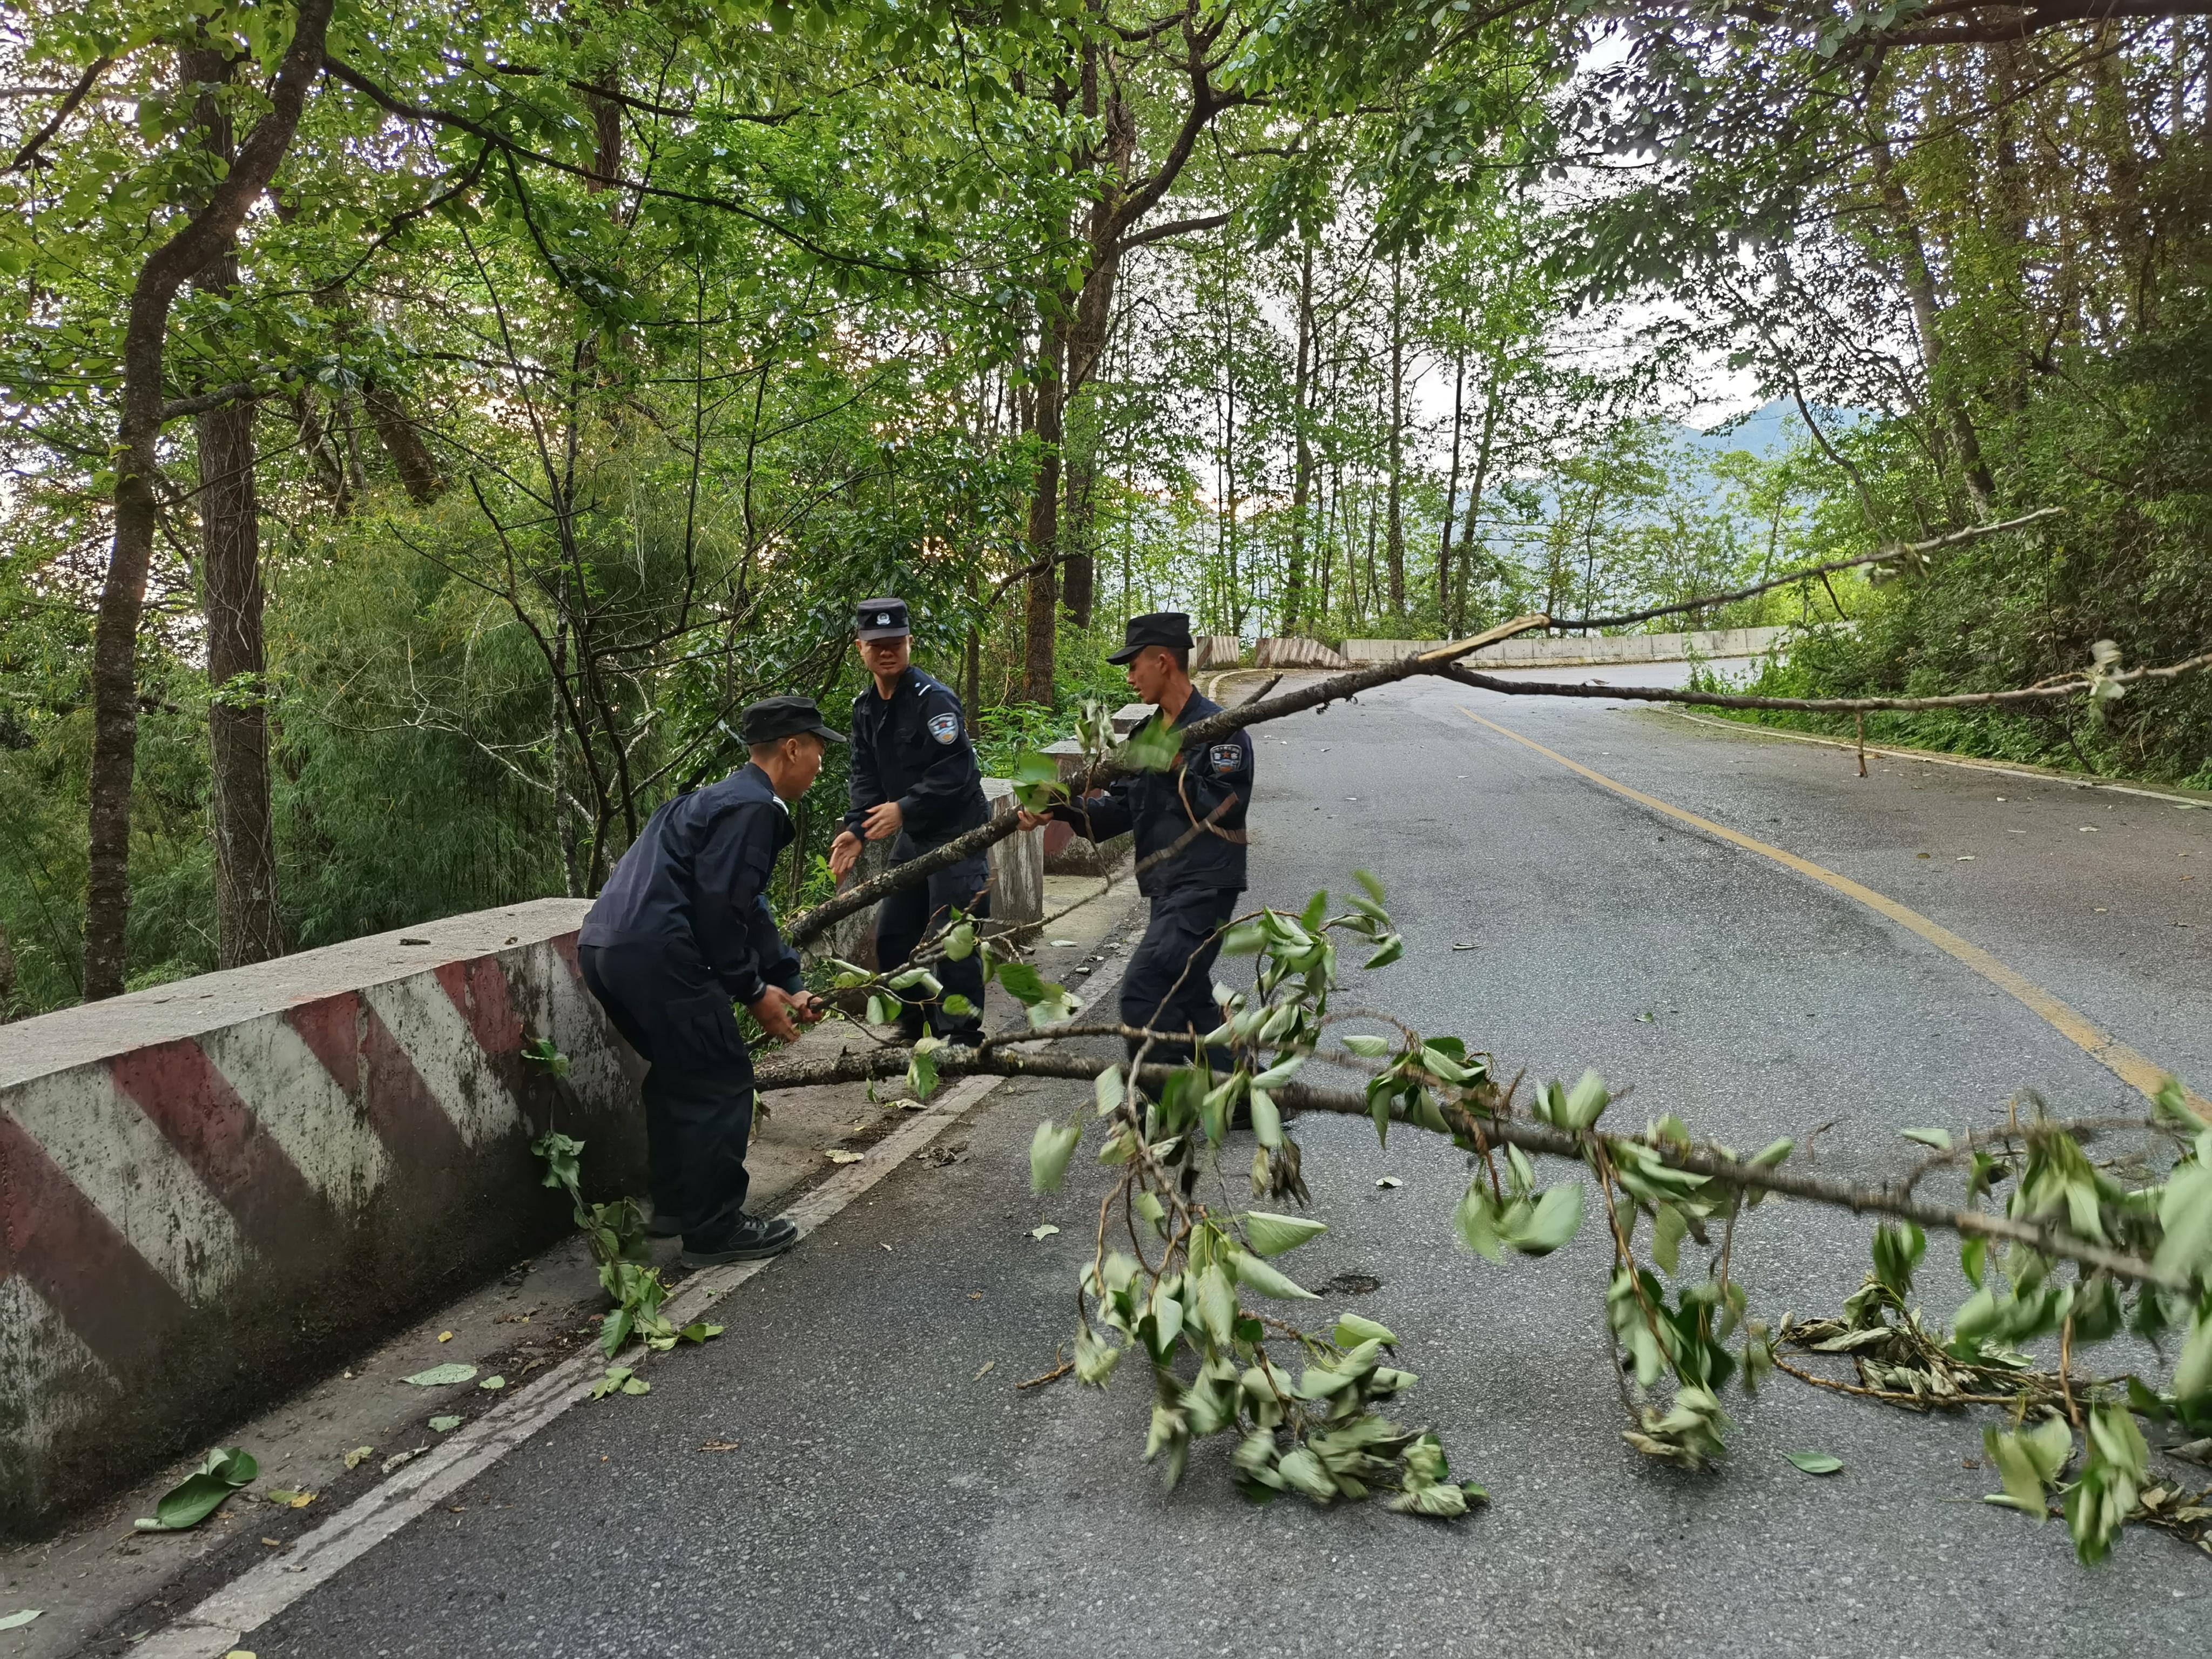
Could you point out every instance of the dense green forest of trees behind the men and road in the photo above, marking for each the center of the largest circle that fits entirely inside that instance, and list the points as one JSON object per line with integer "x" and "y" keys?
{"x": 426, "y": 428}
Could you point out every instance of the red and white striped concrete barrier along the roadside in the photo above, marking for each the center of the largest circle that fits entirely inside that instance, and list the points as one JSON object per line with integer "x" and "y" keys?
{"x": 220, "y": 1187}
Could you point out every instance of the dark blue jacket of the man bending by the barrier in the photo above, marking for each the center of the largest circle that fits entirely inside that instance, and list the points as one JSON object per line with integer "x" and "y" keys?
{"x": 696, "y": 881}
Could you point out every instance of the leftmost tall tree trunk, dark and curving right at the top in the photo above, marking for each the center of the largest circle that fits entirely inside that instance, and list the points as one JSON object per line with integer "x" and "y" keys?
{"x": 138, "y": 437}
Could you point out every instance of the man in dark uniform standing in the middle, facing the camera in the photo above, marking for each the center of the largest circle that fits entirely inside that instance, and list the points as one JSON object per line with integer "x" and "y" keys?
{"x": 915, "y": 778}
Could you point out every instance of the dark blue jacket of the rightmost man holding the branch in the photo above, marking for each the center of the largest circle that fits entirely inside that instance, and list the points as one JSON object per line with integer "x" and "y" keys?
{"x": 1165, "y": 806}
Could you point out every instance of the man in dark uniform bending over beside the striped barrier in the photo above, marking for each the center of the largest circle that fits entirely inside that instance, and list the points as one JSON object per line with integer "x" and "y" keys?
{"x": 680, "y": 932}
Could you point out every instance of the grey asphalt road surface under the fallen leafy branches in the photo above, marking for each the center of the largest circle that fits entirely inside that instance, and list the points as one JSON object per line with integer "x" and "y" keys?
{"x": 888, "y": 1494}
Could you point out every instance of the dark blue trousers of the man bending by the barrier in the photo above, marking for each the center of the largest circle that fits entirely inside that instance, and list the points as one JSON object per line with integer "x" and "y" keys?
{"x": 698, "y": 1089}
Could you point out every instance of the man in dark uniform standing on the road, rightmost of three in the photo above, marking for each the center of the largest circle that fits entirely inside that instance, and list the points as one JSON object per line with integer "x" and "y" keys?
{"x": 1204, "y": 795}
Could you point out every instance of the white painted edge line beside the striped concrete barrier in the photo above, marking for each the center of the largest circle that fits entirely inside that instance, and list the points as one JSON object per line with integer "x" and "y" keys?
{"x": 218, "y": 1625}
